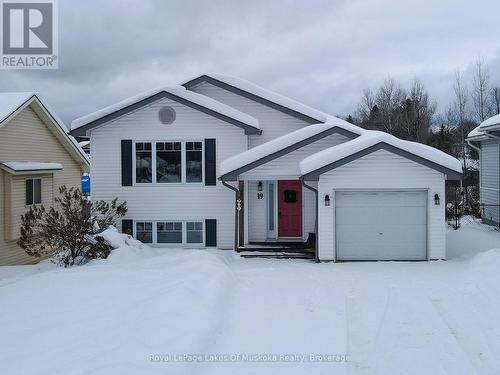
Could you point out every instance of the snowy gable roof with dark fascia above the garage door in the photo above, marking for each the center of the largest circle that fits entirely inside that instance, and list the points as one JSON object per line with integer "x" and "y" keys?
{"x": 371, "y": 141}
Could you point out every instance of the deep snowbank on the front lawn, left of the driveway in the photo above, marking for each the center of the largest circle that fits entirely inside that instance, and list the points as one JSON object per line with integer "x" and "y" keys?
{"x": 112, "y": 315}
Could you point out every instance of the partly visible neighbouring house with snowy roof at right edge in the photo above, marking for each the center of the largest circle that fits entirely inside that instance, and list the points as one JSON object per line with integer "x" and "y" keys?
{"x": 486, "y": 139}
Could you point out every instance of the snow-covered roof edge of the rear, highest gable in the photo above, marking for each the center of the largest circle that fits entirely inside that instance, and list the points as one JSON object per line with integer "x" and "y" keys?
{"x": 273, "y": 97}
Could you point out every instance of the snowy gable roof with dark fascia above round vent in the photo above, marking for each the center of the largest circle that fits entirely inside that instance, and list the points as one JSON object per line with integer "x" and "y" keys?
{"x": 179, "y": 94}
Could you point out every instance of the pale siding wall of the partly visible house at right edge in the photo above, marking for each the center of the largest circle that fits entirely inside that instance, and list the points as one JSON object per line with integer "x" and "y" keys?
{"x": 490, "y": 179}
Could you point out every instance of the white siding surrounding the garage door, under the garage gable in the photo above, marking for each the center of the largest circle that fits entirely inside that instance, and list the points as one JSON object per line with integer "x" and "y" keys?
{"x": 382, "y": 170}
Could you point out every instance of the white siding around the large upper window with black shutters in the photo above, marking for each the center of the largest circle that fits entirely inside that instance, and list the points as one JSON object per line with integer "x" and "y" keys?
{"x": 167, "y": 202}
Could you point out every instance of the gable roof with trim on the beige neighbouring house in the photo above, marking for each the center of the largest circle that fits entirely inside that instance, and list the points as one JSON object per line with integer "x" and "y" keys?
{"x": 11, "y": 103}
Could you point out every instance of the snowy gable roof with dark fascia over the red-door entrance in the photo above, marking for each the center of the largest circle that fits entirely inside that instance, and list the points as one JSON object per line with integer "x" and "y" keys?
{"x": 275, "y": 148}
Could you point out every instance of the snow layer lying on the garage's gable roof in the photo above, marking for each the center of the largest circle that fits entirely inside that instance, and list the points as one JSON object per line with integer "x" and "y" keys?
{"x": 370, "y": 138}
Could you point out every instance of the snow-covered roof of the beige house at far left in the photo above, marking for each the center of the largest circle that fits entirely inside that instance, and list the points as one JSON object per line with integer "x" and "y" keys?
{"x": 10, "y": 102}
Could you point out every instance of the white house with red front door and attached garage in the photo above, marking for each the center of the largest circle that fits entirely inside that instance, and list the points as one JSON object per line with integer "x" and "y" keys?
{"x": 222, "y": 162}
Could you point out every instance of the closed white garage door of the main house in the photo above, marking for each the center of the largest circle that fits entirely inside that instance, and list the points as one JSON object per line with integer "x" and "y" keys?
{"x": 381, "y": 225}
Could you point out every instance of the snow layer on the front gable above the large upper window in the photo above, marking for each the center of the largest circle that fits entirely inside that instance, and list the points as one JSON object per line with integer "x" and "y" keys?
{"x": 178, "y": 91}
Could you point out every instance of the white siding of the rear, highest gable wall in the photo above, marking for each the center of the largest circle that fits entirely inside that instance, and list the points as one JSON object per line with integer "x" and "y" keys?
{"x": 272, "y": 122}
